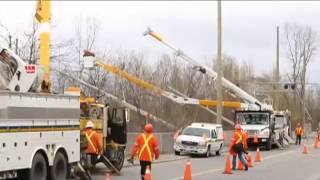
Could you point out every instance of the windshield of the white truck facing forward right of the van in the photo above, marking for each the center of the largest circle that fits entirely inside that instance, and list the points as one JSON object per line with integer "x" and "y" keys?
{"x": 253, "y": 119}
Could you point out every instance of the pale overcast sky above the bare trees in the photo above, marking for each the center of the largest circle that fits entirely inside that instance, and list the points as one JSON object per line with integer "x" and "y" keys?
{"x": 249, "y": 28}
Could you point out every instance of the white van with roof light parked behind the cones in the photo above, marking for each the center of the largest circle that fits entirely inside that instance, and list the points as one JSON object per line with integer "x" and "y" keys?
{"x": 201, "y": 139}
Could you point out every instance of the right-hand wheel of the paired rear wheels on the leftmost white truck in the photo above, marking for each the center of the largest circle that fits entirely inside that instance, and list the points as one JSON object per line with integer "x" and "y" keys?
{"x": 59, "y": 169}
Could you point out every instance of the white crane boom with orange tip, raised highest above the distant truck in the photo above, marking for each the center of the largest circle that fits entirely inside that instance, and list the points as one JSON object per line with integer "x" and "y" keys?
{"x": 253, "y": 102}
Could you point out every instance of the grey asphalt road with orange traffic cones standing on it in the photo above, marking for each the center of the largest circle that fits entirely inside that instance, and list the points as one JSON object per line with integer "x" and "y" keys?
{"x": 289, "y": 164}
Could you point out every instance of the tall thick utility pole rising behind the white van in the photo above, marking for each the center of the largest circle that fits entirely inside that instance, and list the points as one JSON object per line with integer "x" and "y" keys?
{"x": 219, "y": 66}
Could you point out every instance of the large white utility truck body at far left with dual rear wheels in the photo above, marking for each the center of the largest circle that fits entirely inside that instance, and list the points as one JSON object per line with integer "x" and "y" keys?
{"x": 39, "y": 132}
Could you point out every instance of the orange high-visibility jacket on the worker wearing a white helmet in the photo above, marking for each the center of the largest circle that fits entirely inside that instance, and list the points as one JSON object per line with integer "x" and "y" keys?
{"x": 94, "y": 146}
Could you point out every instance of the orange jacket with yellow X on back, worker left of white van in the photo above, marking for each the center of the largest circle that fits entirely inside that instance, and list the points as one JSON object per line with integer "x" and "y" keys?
{"x": 146, "y": 147}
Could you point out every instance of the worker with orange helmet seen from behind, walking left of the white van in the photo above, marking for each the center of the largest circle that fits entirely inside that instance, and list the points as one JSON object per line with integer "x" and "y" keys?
{"x": 146, "y": 147}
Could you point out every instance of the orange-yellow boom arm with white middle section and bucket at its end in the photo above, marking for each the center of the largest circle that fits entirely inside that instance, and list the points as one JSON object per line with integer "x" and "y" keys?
{"x": 150, "y": 87}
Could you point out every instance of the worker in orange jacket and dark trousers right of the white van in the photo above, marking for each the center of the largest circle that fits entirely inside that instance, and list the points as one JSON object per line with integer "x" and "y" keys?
{"x": 238, "y": 146}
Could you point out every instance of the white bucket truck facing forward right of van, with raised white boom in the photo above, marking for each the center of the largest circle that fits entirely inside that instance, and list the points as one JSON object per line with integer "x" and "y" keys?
{"x": 254, "y": 116}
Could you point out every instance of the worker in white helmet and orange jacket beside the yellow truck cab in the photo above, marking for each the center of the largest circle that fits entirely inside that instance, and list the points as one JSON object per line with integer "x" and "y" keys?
{"x": 94, "y": 147}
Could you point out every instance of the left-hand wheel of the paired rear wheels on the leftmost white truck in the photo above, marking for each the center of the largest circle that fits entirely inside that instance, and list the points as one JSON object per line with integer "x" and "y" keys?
{"x": 38, "y": 171}
